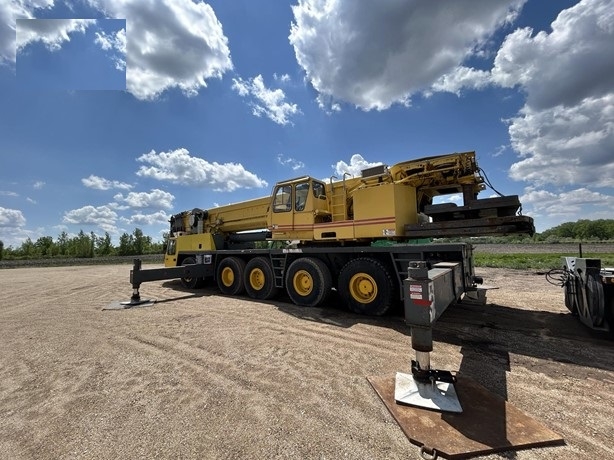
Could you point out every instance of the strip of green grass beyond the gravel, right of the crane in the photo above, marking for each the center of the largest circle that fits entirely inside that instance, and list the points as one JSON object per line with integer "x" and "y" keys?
{"x": 533, "y": 261}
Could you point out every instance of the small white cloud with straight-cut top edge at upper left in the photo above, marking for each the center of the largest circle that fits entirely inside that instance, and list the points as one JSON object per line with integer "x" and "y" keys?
{"x": 51, "y": 32}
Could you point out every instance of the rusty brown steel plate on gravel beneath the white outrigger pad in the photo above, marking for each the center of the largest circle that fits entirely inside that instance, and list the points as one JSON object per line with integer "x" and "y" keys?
{"x": 488, "y": 423}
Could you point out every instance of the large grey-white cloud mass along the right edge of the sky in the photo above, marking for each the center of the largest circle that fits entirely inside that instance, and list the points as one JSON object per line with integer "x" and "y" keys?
{"x": 565, "y": 131}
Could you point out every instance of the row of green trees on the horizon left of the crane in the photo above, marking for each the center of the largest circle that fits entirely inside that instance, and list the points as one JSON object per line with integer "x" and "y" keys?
{"x": 83, "y": 245}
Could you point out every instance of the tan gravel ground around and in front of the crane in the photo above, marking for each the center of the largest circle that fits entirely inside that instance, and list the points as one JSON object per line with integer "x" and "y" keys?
{"x": 199, "y": 375}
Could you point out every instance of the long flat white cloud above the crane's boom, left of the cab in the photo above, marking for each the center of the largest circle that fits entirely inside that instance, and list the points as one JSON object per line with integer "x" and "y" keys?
{"x": 179, "y": 167}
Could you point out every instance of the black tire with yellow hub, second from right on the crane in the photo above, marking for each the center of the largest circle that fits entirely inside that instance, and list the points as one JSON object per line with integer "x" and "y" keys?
{"x": 308, "y": 282}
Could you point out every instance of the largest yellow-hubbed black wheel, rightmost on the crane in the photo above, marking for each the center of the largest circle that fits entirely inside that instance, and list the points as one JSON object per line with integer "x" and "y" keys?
{"x": 366, "y": 286}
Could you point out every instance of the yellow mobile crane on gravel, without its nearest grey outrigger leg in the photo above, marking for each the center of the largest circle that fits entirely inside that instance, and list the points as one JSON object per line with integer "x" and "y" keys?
{"x": 355, "y": 234}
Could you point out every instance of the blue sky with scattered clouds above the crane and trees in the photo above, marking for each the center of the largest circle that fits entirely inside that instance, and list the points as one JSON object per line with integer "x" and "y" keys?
{"x": 116, "y": 114}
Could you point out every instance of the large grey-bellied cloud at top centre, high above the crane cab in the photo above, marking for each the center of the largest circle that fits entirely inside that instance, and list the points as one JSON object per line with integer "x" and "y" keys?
{"x": 376, "y": 54}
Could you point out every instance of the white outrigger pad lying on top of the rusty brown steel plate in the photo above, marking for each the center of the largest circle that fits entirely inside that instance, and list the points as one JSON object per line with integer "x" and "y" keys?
{"x": 437, "y": 396}
